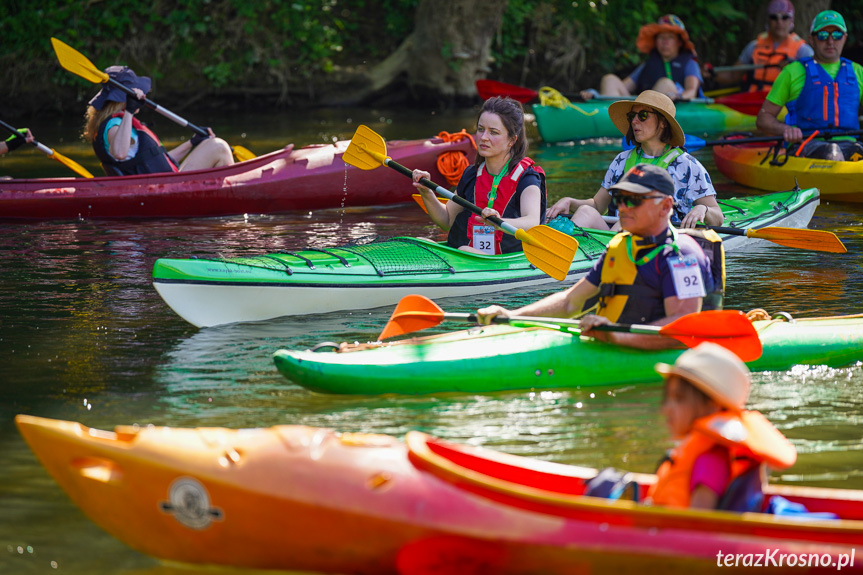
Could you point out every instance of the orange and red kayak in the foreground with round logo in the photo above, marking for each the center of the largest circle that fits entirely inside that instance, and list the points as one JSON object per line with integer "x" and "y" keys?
{"x": 303, "y": 498}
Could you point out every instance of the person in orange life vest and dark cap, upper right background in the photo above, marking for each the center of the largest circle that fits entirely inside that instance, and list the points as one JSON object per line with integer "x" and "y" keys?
{"x": 771, "y": 50}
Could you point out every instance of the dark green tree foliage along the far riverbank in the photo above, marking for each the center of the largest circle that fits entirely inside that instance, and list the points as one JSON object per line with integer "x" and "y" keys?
{"x": 300, "y": 52}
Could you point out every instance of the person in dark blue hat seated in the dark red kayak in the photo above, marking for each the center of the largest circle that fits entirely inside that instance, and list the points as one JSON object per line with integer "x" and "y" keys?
{"x": 125, "y": 146}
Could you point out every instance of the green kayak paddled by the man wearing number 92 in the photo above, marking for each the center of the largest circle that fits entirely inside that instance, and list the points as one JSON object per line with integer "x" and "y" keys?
{"x": 500, "y": 358}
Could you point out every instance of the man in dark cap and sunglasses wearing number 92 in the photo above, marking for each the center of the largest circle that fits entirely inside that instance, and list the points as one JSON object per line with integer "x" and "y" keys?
{"x": 650, "y": 272}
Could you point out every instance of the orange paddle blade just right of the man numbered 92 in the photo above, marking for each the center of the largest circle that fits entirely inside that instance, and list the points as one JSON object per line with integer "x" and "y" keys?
{"x": 730, "y": 329}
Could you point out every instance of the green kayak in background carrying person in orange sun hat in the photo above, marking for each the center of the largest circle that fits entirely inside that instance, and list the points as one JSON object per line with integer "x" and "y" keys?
{"x": 578, "y": 121}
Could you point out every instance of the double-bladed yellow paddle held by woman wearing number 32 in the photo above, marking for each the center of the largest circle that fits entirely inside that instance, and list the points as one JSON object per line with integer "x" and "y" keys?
{"x": 548, "y": 249}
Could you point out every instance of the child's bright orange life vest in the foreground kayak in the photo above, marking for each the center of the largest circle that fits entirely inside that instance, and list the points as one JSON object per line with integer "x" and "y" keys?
{"x": 749, "y": 437}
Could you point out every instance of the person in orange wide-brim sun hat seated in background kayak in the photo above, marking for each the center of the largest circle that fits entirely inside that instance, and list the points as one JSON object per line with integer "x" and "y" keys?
{"x": 670, "y": 68}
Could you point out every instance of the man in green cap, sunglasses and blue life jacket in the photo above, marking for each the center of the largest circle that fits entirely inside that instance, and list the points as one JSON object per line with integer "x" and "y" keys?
{"x": 821, "y": 93}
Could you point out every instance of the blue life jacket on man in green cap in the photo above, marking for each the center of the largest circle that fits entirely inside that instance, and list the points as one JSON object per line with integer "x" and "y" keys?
{"x": 826, "y": 103}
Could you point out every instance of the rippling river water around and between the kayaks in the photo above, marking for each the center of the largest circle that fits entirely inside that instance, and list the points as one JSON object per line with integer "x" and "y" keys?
{"x": 85, "y": 337}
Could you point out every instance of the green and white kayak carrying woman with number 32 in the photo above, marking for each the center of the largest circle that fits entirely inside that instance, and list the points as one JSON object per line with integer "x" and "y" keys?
{"x": 207, "y": 292}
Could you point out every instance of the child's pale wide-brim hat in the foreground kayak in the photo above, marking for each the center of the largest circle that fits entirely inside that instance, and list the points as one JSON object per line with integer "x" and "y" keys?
{"x": 714, "y": 370}
